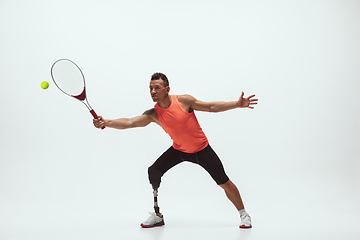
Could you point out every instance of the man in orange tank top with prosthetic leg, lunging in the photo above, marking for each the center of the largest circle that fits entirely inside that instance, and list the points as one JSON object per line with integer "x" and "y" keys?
{"x": 175, "y": 114}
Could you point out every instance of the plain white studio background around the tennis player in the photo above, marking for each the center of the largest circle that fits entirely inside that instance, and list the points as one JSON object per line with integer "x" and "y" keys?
{"x": 295, "y": 158}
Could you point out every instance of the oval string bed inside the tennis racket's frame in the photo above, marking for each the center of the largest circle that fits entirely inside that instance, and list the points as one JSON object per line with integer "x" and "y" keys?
{"x": 68, "y": 77}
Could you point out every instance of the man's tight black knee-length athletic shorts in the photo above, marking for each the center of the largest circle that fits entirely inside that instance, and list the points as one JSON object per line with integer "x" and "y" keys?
{"x": 206, "y": 158}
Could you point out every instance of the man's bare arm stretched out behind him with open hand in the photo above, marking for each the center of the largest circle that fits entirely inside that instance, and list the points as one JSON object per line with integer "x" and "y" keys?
{"x": 195, "y": 104}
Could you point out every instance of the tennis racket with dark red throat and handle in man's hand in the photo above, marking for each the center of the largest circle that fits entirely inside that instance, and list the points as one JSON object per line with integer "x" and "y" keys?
{"x": 69, "y": 78}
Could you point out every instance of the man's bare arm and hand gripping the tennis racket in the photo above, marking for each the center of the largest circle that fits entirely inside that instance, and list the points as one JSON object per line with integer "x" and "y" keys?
{"x": 125, "y": 123}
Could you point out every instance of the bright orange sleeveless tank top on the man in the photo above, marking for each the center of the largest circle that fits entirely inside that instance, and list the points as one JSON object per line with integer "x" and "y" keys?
{"x": 183, "y": 127}
